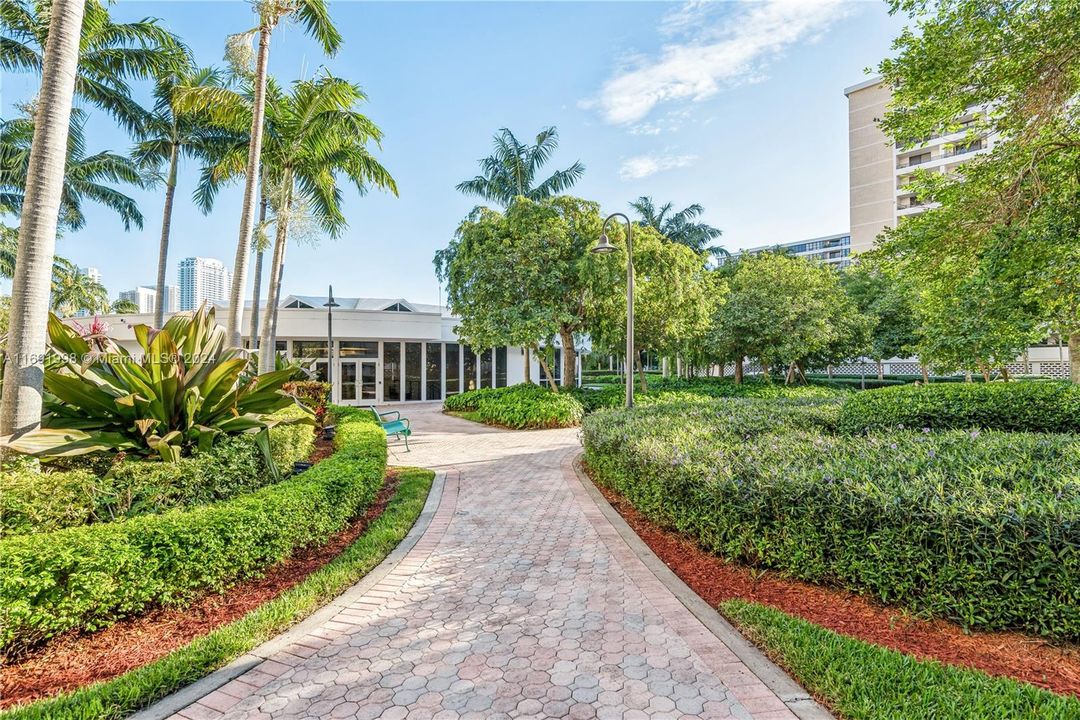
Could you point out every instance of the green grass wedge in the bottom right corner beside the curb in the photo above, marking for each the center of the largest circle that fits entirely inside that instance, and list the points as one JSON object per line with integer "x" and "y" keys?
{"x": 863, "y": 682}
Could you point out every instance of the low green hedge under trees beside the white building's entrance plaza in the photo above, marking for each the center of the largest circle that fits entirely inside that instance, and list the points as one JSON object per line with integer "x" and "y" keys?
{"x": 523, "y": 406}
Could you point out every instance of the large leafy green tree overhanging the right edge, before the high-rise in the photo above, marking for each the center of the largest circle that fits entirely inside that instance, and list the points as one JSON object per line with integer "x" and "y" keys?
{"x": 1001, "y": 215}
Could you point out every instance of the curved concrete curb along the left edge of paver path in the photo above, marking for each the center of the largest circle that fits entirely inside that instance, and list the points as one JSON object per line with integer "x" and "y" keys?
{"x": 172, "y": 704}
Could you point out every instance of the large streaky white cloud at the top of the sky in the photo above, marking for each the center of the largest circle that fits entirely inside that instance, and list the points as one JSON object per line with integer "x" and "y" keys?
{"x": 711, "y": 55}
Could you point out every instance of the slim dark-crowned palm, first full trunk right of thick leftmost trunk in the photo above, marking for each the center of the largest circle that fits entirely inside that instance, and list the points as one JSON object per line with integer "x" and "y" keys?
{"x": 169, "y": 135}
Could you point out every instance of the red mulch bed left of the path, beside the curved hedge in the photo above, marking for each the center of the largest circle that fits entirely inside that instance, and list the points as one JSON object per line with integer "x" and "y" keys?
{"x": 76, "y": 660}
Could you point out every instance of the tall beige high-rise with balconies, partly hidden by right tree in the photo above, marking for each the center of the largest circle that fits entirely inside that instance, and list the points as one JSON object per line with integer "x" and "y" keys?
{"x": 881, "y": 173}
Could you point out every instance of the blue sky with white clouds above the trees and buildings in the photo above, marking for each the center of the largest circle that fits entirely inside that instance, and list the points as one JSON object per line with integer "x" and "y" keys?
{"x": 738, "y": 106}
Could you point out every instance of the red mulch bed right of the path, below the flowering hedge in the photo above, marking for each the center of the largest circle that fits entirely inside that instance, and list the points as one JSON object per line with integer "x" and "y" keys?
{"x": 1009, "y": 655}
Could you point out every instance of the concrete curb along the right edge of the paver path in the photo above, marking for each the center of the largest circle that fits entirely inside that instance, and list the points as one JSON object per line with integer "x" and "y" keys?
{"x": 798, "y": 700}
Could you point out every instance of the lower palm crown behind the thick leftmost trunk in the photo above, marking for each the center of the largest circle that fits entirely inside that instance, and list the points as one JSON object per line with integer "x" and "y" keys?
{"x": 86, "y": 178}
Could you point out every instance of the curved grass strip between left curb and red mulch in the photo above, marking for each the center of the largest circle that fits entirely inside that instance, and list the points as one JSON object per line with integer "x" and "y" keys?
{"x": 140, "y": 688}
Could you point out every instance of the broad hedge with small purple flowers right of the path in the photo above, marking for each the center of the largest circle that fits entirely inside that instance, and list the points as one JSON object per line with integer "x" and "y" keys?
{"x": 979, "y": 527}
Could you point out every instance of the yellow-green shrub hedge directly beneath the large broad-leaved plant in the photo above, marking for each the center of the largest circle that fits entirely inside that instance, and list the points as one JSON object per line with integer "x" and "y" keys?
{"x": 46, "y": 500}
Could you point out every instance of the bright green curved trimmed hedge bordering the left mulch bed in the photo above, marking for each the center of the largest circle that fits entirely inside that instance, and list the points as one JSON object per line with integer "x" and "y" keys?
{"x": 89, "y": 577}
